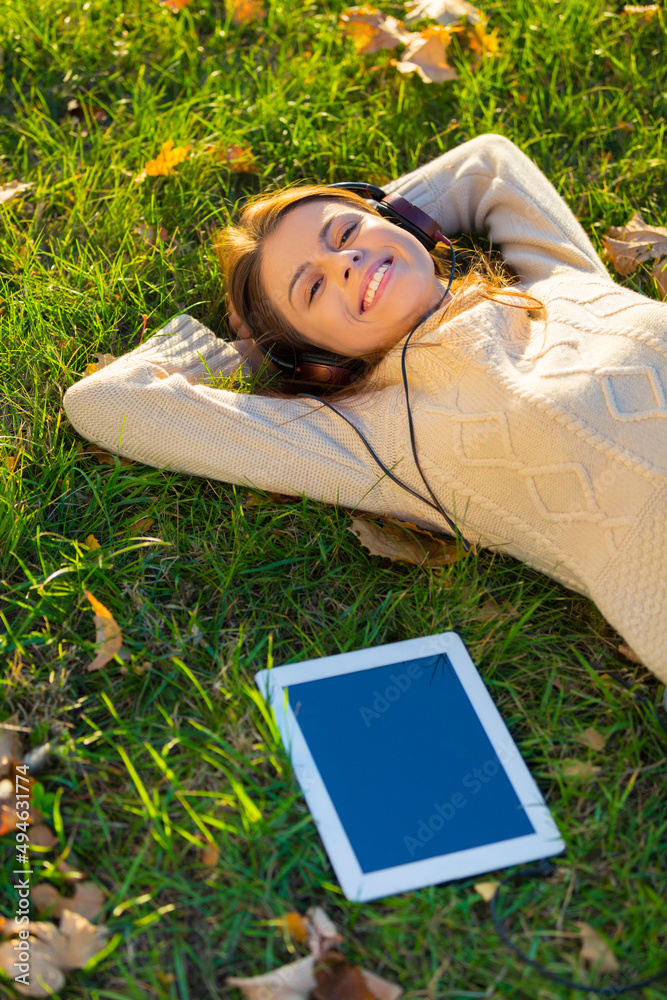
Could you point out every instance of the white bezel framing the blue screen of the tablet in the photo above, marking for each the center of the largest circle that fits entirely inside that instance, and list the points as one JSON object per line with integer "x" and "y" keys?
{"x": 361, "y": 887}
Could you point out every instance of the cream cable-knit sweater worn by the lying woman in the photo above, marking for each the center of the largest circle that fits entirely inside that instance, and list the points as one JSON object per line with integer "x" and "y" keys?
{"x": 545, "y": 432}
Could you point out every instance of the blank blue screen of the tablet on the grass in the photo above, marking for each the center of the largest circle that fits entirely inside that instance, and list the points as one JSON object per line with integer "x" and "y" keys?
{"x": 407, "y": 763}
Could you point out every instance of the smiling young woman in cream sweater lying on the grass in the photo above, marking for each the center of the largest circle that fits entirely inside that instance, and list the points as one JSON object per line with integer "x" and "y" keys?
{"x": 540, "y": 422}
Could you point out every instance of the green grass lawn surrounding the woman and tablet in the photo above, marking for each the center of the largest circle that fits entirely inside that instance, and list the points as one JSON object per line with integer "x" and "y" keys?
{"x": 170, "y": 746}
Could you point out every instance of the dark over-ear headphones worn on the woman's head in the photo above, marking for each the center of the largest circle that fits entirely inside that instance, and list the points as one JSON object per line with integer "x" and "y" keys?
{"x": 313, "y": 365}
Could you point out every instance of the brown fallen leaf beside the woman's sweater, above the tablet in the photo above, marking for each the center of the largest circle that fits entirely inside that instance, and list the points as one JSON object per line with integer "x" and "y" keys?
{"x": 401, "y": 541}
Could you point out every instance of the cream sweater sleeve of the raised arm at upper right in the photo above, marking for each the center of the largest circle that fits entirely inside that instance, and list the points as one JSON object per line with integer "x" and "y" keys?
{"x": 489, "y": 186}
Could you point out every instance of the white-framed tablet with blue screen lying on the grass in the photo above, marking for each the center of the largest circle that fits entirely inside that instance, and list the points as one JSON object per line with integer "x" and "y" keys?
{"x": 409, "y": 771}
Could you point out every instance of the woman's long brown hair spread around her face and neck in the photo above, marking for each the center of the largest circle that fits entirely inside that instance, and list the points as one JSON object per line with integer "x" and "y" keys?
{"x": 239, "y": 252}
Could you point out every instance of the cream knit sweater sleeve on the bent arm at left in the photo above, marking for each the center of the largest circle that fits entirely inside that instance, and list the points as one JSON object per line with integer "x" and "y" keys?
{"x": 150, "y": 406}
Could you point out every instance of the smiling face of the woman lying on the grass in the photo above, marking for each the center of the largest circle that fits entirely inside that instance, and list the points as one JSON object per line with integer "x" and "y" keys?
{"x": 346, "y": 279}
